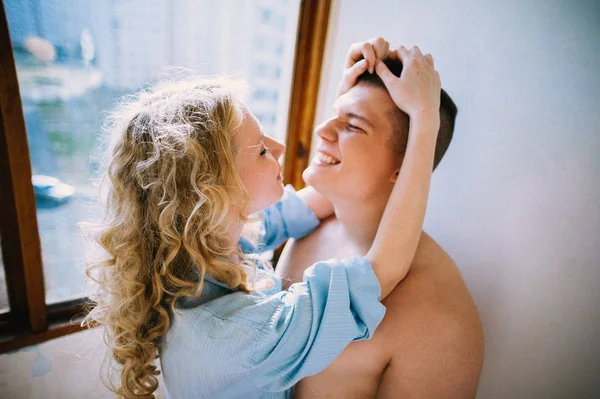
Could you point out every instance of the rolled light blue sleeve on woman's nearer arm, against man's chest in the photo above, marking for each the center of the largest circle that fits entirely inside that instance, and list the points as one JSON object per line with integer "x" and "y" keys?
{"x": 337, "y": 302}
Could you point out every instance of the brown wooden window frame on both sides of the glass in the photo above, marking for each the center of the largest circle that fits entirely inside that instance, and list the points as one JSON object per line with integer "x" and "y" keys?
{"x": 30, "y": 320}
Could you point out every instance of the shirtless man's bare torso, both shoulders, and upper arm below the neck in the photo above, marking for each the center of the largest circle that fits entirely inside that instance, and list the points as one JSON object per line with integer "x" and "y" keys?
{"x": 429, "y": 344}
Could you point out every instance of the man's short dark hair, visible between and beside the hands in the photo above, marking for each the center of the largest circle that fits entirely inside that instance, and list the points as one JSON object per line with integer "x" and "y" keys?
{"x": 400, "y": 120}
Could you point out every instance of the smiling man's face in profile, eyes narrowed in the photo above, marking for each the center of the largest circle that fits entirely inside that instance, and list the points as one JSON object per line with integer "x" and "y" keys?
{"x": 354, "y": 155}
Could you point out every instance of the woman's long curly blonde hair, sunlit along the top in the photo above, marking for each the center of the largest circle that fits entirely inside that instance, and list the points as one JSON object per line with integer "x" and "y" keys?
{"x": 169, "y": 187}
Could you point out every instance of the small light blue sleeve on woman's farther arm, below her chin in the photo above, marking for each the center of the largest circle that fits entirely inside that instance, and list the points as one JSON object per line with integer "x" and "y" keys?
{"x": 290, "y": 217}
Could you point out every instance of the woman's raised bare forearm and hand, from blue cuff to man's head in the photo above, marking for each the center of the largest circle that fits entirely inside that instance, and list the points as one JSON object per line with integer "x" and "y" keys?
{"x": 417, "y": 93}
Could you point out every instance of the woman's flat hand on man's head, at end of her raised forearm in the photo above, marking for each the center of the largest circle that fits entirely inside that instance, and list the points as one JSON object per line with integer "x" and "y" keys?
{"x": 417, "y": 90}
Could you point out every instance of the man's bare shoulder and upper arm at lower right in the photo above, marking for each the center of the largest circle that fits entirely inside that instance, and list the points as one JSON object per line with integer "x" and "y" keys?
{"x": 438, "y": 337}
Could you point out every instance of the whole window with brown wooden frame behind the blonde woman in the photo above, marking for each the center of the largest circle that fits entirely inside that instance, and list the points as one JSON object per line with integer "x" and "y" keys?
{"x": 72, "y": 60}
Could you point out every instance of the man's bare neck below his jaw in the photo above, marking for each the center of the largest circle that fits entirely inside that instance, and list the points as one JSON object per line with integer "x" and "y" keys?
{"x": 359, "y": 220}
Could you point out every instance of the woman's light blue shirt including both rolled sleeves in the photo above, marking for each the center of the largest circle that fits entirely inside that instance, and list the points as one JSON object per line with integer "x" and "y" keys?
{"x": 231, "y": 344}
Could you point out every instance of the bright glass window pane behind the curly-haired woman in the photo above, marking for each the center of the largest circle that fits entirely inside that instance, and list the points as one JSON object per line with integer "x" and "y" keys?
{"x": 74, "y": 58}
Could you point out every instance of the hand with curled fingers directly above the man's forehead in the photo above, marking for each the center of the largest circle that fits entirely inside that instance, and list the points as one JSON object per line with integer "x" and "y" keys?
{"x": 362, "y": 57}
